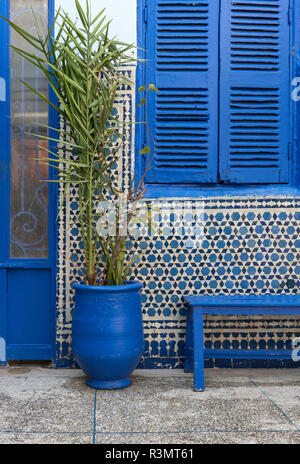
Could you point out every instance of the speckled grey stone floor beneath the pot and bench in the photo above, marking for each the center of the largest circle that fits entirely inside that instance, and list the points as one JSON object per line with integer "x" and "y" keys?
{"x": 44, "y": 405}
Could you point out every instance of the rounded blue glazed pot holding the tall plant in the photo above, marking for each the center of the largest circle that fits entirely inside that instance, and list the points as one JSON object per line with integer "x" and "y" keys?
{"x": 108, "y": 338}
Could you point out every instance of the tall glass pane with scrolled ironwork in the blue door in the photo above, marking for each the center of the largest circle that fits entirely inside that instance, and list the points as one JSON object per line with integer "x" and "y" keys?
{"x": 29, "y": 193}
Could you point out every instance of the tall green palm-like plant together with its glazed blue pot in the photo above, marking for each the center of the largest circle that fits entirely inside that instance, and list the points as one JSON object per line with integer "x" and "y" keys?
{"x": 83, "y": 67}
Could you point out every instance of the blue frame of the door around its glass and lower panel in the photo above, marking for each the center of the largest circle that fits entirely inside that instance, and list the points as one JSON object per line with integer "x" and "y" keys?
{"x": 7, "y": 263}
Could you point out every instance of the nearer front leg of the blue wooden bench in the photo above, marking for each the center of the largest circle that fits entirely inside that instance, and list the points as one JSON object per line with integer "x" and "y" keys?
{"x": 198, "y": 350}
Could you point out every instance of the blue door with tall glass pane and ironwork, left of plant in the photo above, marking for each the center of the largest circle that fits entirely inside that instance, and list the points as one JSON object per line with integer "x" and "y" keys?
{"x": 27, "y": 202}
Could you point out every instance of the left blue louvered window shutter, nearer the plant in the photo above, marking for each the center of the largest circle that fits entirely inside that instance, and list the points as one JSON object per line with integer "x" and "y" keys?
{"x": 182, "y": 61}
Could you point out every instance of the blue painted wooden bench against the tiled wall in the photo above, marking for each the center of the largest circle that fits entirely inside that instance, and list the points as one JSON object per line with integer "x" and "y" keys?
{"x": 282, "y": 305}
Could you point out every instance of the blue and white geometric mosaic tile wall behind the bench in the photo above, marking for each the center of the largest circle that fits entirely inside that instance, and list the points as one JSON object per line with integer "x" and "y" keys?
{"x": 231, "y": 246}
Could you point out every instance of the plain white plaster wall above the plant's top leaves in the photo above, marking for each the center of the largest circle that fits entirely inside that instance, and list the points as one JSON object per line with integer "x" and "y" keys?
{"x": 121, "y": 12}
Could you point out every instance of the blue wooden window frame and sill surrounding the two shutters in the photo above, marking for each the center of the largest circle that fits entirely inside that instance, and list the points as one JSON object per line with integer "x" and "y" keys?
{"x": 216, "y": 190}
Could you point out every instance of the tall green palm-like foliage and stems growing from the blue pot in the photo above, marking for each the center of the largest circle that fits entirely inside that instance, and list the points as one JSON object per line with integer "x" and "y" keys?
{"x": 83, "y": 67}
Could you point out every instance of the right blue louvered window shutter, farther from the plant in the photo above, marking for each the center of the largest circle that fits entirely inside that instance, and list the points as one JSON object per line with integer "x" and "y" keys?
{"x": 254, "y": 91}
